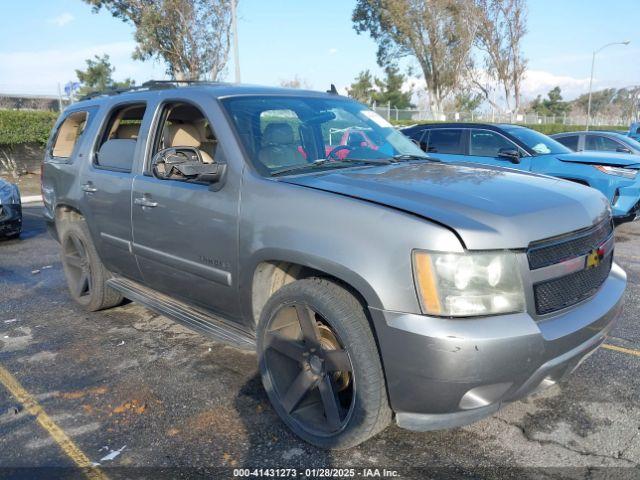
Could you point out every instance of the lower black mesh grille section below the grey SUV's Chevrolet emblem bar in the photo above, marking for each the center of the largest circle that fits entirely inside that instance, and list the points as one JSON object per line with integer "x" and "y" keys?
{"x": 565, "y": 291}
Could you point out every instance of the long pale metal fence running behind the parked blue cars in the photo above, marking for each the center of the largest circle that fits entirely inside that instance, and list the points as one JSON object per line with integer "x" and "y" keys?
{"x": 394, "y": 114}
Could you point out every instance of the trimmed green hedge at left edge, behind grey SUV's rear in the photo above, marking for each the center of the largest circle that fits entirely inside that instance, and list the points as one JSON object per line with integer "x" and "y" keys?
{"x": 25, "y": 126}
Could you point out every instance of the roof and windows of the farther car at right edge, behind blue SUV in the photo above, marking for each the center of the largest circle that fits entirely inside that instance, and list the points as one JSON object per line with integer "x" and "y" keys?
{"x": 599, "y": 141}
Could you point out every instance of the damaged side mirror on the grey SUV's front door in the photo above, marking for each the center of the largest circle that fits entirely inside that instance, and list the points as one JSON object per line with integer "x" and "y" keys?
{"x": 185, "y": 163}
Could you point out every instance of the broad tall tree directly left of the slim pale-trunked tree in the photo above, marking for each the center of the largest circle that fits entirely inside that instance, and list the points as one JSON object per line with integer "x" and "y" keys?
{"x": 439, "y": 34}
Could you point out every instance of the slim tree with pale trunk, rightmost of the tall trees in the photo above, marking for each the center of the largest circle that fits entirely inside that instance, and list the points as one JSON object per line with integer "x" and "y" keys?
{"x": 501, "y": 26}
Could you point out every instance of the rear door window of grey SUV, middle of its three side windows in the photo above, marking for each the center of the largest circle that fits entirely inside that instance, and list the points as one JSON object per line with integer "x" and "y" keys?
{"x": 117, "y": 141}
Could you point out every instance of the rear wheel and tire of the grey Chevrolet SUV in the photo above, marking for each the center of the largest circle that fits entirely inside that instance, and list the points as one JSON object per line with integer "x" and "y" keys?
{"x": 85, "y": 273}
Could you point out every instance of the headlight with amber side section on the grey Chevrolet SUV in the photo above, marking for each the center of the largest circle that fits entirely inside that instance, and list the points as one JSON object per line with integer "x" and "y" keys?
{"x": 468, "y": 284}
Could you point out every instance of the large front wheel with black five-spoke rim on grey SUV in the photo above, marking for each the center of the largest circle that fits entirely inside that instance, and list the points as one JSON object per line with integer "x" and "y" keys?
{"x": 320, "y": 365}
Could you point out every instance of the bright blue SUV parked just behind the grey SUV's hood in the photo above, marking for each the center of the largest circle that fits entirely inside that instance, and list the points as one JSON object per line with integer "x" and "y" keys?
{"x": 517, "y": 147}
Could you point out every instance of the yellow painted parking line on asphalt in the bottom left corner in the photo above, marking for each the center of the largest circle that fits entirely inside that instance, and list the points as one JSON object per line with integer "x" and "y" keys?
{"x": 67, "y": 445}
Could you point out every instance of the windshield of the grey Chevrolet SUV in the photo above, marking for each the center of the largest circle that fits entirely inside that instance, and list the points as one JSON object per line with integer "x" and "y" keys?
{"x": 283, "y": 134}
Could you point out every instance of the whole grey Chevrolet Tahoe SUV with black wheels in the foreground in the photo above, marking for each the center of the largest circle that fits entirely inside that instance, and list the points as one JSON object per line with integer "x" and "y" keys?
{"x": 380, "y": 284}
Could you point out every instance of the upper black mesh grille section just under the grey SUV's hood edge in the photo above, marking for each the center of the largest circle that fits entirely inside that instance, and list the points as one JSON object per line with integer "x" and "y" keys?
{"x": 553, "y": 251}
